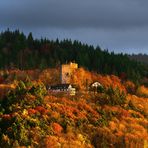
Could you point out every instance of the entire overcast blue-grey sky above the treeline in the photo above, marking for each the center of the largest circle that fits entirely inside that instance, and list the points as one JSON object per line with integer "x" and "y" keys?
{"x": 119, "y": 25}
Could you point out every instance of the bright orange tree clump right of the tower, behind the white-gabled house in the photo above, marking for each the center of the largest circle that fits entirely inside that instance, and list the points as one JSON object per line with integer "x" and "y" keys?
{"x": 83, "y": 79}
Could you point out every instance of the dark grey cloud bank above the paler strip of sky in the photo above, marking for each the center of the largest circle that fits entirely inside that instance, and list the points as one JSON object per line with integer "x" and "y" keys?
{"x": 116, "y": 14}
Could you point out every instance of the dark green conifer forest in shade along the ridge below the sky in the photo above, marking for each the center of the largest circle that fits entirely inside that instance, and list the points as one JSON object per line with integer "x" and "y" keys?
{"x": 24, "y": 52}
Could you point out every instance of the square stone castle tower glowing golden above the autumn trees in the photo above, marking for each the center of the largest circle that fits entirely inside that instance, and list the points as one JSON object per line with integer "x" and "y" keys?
{"x": 67, "y": 71}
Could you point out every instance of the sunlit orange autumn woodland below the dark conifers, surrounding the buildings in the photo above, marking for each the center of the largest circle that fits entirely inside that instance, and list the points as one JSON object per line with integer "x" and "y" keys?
{"x": 113, "y": 116}
